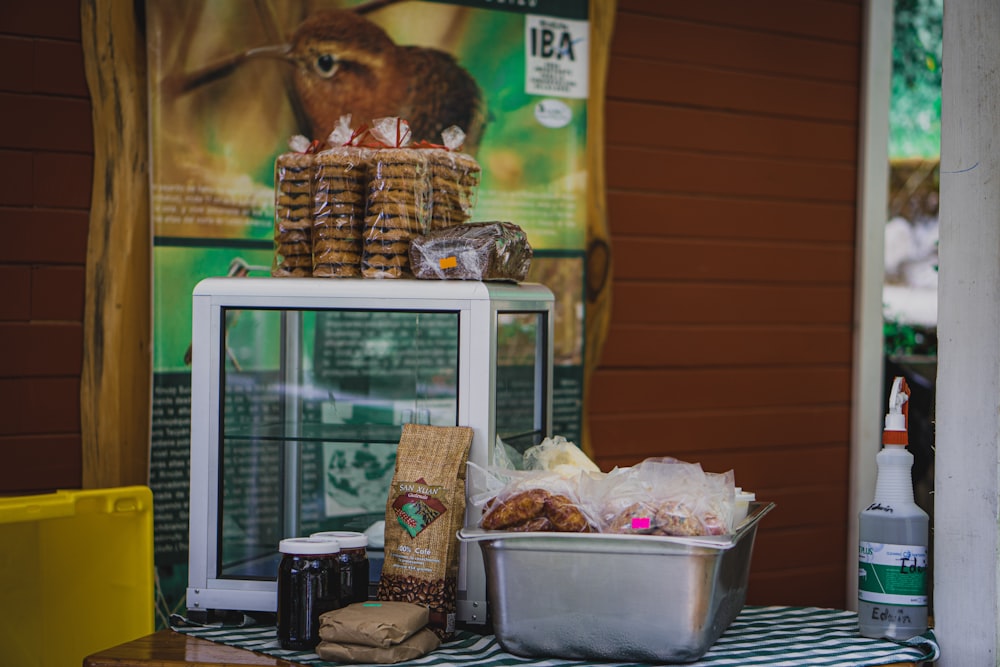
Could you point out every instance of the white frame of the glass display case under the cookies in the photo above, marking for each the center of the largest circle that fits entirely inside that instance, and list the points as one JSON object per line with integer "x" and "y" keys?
{"x": 478, "y": 305}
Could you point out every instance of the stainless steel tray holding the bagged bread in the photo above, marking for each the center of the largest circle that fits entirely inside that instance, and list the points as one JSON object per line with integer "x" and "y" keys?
{"x": 615, "y": 597}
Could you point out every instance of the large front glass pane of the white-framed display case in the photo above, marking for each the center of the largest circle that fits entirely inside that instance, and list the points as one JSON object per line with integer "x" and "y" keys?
{"x": 313, "y": 403}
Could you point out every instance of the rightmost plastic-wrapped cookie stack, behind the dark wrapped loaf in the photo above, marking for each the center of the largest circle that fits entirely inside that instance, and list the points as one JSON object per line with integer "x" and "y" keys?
{"x": 454, "y": 181}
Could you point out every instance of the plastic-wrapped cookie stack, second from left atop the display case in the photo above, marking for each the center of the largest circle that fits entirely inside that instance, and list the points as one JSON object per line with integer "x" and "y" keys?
{"x": 338, "y": 216}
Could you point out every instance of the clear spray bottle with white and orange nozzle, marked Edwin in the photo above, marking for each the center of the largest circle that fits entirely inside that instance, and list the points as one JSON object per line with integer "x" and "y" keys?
{"x": 893, "y": 537}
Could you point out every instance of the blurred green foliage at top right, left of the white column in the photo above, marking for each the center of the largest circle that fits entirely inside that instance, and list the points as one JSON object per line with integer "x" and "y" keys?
{"x": 915, "y": 107}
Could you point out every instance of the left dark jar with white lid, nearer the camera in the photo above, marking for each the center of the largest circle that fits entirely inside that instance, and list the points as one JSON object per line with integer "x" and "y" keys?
{"x": 309, "y": 577}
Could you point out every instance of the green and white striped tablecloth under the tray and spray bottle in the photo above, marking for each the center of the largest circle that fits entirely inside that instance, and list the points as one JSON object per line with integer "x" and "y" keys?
{"x": 792, "y": 636}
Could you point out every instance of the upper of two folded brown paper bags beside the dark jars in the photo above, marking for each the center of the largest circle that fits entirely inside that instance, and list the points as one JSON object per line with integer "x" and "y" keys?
{"x": 378, "y": 624}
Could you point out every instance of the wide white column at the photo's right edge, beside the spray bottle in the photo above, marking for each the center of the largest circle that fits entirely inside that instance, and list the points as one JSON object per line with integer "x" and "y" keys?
{"x": 966, "y": 574}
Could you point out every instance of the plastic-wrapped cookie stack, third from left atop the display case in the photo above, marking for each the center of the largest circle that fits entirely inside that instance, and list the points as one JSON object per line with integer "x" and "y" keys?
{"x": 398, "y": 202}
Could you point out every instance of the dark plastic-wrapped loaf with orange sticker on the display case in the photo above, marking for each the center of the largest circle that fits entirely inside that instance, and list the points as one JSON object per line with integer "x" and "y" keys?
{"x": 473, "y": 251}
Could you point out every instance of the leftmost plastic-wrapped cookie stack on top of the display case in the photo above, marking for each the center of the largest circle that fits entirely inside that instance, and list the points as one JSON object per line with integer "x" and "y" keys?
{"x": 293, "y": 211}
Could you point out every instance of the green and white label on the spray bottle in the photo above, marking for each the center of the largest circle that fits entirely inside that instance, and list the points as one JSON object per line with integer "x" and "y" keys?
{"x": 892, "y": 574}
